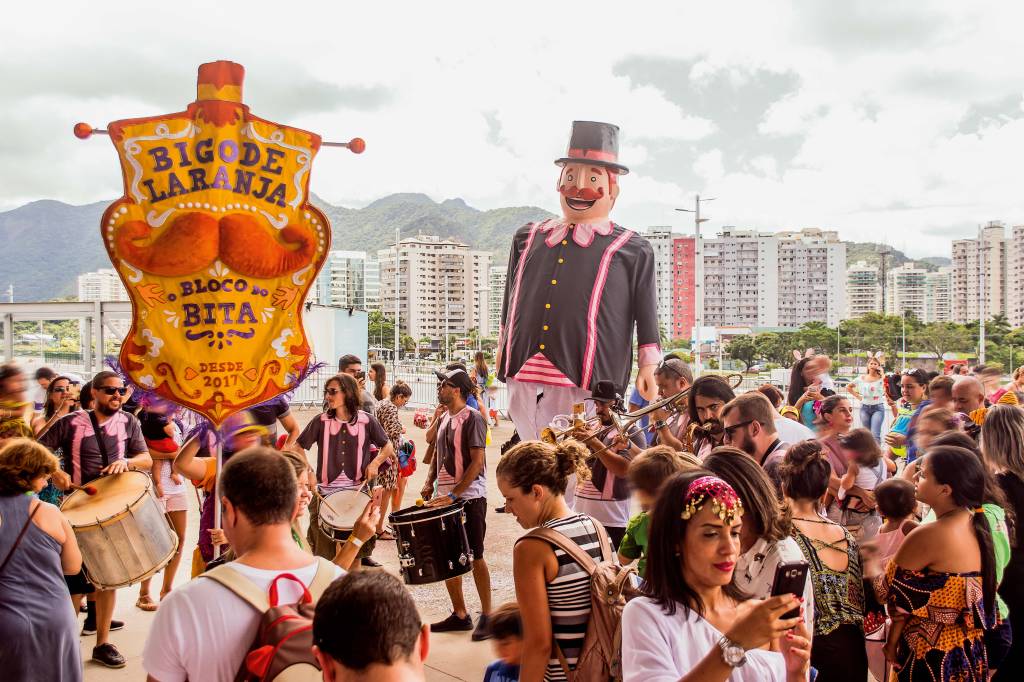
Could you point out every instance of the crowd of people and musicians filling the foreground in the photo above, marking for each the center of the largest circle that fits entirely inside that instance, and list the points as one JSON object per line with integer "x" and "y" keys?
{"x": 743, "y": 537}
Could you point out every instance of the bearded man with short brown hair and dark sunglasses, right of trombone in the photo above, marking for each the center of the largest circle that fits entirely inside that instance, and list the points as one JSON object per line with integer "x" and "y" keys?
{"x": 749, "y": 423}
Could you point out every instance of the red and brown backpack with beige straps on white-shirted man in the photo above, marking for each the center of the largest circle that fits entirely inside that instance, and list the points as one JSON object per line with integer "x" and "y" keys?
{"x": 283, "y": 649}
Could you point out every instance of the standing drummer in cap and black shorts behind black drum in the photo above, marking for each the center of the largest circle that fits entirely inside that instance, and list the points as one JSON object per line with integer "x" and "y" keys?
{"x": 460, "y": 470}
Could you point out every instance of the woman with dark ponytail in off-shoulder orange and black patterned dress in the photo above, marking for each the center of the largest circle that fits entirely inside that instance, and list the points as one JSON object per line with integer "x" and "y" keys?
{"x": 943, "y": 603}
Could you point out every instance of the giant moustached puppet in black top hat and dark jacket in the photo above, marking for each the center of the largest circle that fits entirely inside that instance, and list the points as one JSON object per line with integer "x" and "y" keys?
{"x": 576, "y": 289}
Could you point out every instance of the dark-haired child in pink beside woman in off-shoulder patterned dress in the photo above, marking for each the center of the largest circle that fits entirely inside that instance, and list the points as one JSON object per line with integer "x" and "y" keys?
{"x": 898, "y": 504}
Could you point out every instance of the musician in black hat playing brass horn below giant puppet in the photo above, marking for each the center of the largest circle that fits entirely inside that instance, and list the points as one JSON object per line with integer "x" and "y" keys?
{"x": 607, "y": 496}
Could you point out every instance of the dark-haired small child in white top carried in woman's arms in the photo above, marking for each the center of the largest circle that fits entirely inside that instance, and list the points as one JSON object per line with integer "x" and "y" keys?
{"x": 866, "y": 470}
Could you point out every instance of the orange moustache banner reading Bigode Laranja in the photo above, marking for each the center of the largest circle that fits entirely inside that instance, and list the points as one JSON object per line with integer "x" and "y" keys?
{"x": 218, "y": 246}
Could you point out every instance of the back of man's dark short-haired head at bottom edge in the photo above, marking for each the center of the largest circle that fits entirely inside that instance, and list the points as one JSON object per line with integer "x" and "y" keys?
{"x": 388, "y": 643}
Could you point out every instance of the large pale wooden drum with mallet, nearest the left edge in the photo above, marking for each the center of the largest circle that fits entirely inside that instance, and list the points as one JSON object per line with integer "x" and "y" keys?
{"x": 122, "y": 531}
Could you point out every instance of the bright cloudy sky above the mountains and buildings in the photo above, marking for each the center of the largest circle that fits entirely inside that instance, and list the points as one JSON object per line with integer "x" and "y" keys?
{"x": 888, "y": 121}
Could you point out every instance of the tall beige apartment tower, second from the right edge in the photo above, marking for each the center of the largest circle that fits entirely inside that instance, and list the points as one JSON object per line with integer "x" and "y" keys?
{"x": 982, "y": 275}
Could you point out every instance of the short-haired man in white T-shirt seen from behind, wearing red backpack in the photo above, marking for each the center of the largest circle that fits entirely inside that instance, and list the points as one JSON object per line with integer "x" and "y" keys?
{"x": 203, "y": 630}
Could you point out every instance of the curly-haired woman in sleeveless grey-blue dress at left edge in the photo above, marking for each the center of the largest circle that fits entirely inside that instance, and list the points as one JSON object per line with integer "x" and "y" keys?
{"x": 38, "y": 627}
